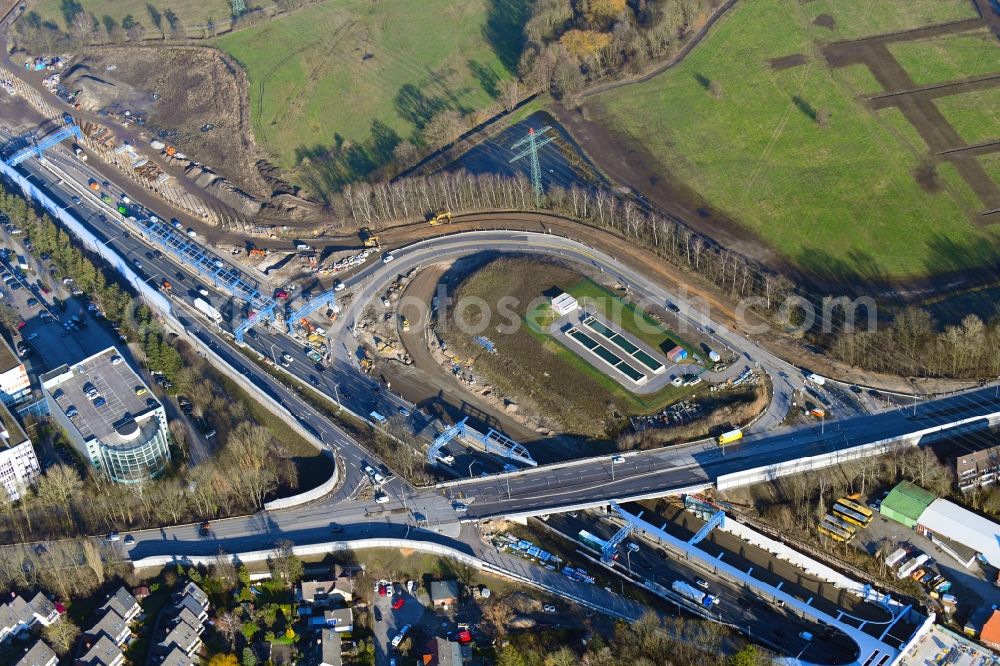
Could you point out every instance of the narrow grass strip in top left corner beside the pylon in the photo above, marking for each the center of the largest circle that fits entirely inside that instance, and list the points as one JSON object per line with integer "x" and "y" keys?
{"x": 189, "y": 12}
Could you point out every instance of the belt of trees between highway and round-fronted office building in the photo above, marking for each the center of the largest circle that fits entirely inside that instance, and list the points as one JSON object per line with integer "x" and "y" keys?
{"x": 71, "y": 499}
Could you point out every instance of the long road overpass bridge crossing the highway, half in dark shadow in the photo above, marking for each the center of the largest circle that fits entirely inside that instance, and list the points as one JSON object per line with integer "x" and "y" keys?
{"x": 689, "y": 468}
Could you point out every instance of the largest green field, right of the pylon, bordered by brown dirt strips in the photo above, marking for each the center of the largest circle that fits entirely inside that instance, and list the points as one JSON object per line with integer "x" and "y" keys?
{"x": 837, "y": 200}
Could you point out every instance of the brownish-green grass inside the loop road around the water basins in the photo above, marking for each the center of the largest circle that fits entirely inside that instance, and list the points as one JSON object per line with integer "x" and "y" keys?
{"x": 535, "y": 368}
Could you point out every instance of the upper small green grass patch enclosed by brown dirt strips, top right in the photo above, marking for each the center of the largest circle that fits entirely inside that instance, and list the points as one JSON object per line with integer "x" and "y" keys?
{"x": 949, "y": 57}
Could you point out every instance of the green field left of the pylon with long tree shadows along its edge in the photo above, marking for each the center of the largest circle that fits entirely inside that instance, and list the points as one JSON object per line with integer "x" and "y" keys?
{"x": 369, "y": 73}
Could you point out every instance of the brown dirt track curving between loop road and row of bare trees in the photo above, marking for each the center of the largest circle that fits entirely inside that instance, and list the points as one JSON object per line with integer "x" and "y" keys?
{"x": 721, "y": 309}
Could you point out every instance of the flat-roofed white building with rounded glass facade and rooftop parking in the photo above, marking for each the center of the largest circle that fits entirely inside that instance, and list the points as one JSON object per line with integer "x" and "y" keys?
{"x": 110, "y": 415}
